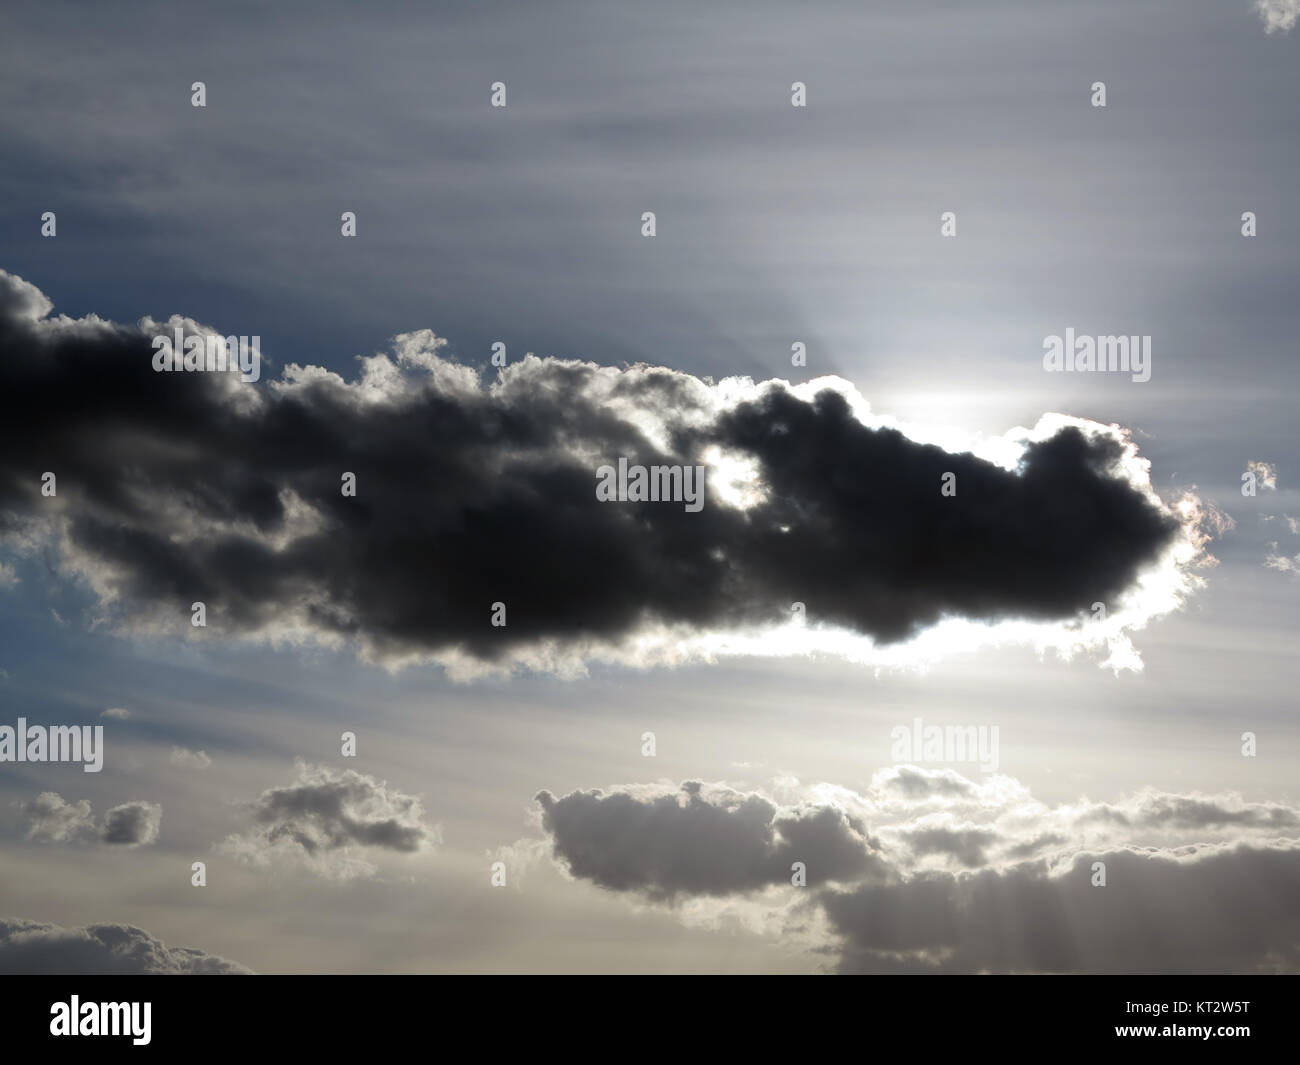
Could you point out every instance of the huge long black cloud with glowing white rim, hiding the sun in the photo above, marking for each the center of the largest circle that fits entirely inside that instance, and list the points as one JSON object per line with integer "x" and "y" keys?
{"x": 181, "y": 488}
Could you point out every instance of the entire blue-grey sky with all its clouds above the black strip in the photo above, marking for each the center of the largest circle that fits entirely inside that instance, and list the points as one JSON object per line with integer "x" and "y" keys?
{"x": 619, "y": 735}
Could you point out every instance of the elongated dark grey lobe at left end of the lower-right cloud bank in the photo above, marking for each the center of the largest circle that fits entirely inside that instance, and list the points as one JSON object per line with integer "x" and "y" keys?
{"x": 700, "y": 843}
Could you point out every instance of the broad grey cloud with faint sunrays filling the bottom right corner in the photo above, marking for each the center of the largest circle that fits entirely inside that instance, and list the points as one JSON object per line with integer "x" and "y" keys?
{"x": 1220, "y": 910}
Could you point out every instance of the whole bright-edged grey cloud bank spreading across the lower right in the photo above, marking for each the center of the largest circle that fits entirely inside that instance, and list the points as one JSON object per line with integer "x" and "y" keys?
{"x": 925, "y": 871}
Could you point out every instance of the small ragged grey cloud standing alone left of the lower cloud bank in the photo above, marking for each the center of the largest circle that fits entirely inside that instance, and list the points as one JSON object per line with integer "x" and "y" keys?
{"x": 328, "y": 820}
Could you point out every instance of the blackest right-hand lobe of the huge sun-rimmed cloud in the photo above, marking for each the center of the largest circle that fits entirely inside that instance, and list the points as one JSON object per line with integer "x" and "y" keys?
{"x": 881, "y": 551}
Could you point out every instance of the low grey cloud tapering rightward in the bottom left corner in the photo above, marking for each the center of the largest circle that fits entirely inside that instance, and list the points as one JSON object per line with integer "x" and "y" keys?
{"x": 32, "y": 947}
